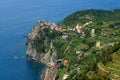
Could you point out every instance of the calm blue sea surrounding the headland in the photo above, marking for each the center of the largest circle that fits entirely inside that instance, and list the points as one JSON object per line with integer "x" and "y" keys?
{"x": 17, "y": 17}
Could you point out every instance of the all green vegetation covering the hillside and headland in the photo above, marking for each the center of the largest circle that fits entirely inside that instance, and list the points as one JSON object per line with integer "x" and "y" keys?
{"x": 81, "y": 48}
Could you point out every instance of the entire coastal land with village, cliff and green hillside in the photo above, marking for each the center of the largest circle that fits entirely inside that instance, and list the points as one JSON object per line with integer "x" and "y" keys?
{"x": 74, "y": 48}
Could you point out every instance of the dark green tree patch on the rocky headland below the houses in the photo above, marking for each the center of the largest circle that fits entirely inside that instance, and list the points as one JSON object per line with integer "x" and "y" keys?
{"x": 42, "y": 42}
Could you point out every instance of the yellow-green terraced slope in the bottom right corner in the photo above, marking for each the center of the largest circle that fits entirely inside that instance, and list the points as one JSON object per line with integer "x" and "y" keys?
{"x": 112, "y": 68}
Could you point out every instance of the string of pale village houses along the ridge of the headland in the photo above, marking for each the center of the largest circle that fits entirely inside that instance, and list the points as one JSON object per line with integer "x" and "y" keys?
{"x": 77, "y": 29}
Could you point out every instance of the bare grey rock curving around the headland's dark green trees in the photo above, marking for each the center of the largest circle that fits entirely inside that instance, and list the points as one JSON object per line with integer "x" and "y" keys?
{"x": 31, "y": 52}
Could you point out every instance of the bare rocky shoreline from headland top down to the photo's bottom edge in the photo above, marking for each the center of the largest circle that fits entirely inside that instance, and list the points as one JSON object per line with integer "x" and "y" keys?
{"x": 40, "y": 57}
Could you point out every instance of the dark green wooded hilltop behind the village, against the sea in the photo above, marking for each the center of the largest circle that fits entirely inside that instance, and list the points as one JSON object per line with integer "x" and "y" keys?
{"x": 97, "y": 16}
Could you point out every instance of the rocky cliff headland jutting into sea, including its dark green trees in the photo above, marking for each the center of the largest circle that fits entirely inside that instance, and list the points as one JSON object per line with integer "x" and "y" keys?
{"x": 39, "y": 46}
